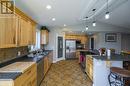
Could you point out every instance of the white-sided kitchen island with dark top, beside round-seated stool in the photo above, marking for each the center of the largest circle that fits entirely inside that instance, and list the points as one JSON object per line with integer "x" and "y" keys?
{"x": 98, "y": 67}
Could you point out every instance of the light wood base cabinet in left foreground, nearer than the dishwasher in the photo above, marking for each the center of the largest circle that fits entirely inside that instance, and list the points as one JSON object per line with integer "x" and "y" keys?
{"x": 28, "y": 78}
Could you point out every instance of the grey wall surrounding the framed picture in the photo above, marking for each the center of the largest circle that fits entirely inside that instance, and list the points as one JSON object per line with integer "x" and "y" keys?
{"x": 100, "y": 42}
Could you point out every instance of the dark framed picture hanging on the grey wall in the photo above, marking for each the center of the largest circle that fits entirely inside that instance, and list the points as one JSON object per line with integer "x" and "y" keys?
{"x": 110, "y": 37}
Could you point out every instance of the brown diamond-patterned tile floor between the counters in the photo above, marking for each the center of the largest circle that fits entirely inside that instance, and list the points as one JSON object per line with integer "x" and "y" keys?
{"x": 66, "y": 73}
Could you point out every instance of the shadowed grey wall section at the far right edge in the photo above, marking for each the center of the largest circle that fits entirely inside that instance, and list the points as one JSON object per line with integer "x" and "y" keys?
{"x": 125, "y": 44}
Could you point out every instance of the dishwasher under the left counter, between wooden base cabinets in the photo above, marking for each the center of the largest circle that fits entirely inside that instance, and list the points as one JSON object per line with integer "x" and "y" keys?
{"x": 40, "y": 71}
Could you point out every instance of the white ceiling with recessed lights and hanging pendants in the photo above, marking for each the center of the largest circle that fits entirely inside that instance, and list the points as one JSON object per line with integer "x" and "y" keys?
{"x": 70, "y": 12}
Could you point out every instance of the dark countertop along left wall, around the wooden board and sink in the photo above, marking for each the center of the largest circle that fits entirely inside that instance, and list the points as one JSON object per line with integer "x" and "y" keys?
{"x": 14, "y": 75}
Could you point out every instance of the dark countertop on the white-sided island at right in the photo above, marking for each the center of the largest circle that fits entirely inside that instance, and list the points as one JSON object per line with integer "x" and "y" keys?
{"x": 113, "y": 57}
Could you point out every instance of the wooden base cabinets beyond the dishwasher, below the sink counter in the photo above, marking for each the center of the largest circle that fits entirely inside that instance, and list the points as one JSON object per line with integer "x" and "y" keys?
{"x": 47, "y": 62}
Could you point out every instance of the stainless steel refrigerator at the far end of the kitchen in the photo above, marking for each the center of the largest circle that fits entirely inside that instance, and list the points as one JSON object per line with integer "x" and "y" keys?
{"x": 70, "y": 49}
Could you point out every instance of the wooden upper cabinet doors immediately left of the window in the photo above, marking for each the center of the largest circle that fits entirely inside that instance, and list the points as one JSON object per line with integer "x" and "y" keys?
{"x": 27, "y": 31}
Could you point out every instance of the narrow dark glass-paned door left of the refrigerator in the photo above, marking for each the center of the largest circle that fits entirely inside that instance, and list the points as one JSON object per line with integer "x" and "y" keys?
{"x": 60, "y": 47}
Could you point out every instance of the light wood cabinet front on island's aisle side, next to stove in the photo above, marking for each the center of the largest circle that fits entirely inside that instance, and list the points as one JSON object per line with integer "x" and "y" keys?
{"x": 89, "y": 67}
